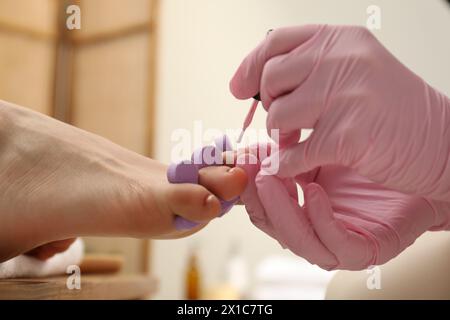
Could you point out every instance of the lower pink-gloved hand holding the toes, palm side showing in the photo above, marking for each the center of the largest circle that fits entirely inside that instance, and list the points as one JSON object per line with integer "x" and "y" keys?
{"x": 347, "y": 221}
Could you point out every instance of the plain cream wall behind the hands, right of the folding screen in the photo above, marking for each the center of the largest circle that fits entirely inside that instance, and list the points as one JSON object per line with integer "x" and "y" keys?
{"x": 201, "y": 44}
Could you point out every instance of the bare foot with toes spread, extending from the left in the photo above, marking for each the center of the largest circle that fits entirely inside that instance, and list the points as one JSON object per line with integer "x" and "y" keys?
{"x": 58, "y": 182}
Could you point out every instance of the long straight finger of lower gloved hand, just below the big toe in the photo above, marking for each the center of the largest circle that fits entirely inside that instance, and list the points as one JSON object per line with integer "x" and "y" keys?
{"x": 291, "y": 223}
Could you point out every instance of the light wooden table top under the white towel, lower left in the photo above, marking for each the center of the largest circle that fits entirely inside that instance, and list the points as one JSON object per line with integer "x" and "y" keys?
{"x": 92, "y": 287}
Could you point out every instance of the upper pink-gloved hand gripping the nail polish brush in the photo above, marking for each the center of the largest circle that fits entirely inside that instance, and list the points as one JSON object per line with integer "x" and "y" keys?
{"x": 368, "y": 111}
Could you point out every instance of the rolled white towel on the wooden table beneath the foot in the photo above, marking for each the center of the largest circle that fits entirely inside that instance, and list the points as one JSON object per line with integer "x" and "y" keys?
{"x": 24, "y": 266}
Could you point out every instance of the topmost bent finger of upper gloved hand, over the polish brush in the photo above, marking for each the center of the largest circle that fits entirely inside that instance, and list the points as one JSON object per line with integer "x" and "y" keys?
{"x": 246, "y": 81}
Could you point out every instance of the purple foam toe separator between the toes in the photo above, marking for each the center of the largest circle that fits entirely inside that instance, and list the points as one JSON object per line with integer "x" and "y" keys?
{"x": 187, "y": 172}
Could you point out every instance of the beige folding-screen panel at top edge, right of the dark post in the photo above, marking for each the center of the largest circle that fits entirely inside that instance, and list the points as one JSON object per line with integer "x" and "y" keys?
{"x": 105, "y": 16}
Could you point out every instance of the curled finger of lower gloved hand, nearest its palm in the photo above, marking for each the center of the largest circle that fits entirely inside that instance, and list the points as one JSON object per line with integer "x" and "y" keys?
{"x": 353, "y": 250}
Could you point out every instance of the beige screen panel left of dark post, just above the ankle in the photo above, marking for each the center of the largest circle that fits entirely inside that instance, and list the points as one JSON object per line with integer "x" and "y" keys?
{"x": 27, "y": 69}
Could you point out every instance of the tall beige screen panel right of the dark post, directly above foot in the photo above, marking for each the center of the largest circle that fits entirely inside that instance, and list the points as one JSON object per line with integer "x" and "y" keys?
{"x": 110, "y": 90}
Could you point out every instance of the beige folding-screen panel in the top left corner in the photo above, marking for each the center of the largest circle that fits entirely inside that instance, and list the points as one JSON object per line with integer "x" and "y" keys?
{"x": 37, "y": 15}
